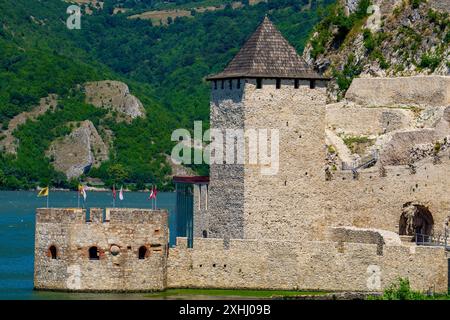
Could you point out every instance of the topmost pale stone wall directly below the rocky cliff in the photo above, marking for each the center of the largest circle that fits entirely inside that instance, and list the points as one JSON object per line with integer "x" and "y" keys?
{"x": 425, "y": 90}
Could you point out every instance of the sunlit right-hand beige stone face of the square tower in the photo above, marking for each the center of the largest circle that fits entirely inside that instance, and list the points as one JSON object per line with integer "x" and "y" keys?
{"x": 284, "y": 206}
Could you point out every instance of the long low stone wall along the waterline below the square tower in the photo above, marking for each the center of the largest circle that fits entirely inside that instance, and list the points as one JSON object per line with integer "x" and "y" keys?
{"x": 308, "y": 265}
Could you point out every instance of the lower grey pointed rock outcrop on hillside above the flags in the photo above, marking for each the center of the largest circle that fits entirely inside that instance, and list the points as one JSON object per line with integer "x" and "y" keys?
{"x": 76, "y": 153}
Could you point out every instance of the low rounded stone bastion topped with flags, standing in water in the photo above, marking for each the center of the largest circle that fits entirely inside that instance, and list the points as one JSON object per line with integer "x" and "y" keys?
{"x": 118, "y": 235}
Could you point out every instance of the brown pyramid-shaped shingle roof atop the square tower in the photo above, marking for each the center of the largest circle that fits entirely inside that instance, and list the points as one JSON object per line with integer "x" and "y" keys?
{"x": 267, "y": 54}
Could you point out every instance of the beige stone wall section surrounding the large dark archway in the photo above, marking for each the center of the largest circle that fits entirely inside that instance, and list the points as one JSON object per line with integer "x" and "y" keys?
{"x": 376, "y": 201}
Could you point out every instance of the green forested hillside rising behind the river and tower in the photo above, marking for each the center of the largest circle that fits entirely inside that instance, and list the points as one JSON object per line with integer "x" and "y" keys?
{"x": 163, "y": 64}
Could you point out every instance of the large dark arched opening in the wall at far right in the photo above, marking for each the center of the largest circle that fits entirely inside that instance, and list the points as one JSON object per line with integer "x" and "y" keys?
{"x": 416, "y": 219}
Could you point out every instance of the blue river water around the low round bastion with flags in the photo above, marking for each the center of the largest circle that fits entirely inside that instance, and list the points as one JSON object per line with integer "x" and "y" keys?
{"x": 17, "y": 218}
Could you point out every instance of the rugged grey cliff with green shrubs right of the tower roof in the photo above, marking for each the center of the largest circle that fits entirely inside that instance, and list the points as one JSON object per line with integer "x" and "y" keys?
{"x": 380, "y": 38}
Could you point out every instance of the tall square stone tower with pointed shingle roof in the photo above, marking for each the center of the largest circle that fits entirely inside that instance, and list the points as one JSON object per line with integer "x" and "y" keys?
{"x": 268, "y": 86}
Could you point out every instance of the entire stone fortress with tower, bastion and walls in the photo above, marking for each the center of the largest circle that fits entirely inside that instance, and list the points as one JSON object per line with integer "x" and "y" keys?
{"x": 360, "y": 198}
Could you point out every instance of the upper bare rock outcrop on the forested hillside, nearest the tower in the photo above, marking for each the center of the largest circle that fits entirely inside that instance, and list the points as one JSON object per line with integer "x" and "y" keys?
{"x": 114, "y": 96}
